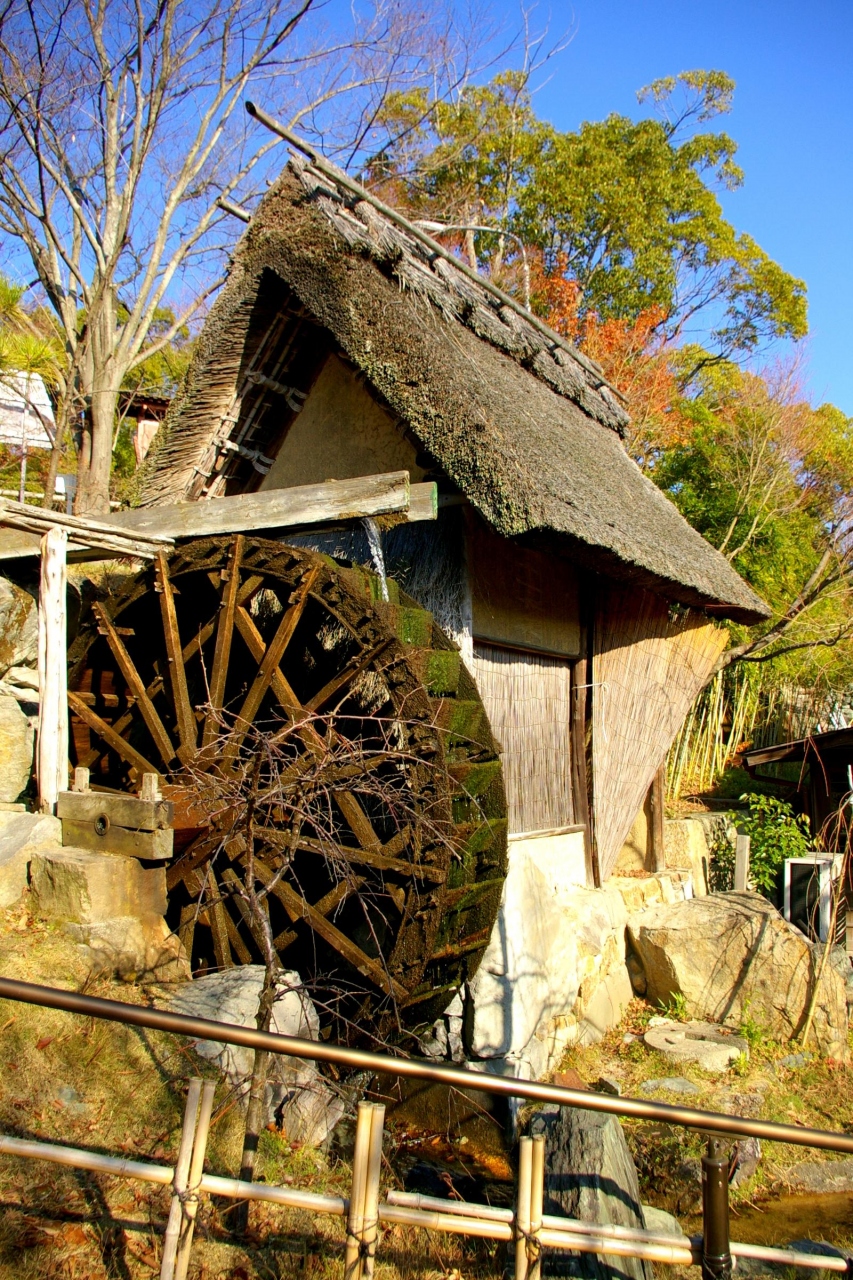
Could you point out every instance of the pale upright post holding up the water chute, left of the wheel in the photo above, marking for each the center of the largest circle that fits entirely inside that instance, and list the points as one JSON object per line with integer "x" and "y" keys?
{"x": 52, "y": 760}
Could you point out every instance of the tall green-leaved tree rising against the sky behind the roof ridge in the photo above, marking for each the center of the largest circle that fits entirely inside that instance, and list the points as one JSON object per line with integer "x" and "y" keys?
{"x": 628, "y": 211}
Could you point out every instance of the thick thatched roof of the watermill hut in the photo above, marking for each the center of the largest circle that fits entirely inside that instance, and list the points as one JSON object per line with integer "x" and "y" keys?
{"x": 524, "y": 426}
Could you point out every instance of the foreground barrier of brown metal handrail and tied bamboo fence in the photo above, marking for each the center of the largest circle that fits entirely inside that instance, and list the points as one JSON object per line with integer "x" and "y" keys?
{"x": 527, "y": 1226}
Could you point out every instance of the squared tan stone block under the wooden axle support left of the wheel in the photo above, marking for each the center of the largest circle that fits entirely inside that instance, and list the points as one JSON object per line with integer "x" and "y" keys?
{"x": 89, "y": 889}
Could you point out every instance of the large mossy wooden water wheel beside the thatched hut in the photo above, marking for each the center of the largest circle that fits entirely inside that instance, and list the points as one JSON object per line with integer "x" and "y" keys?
{"x": 384, "y": 895}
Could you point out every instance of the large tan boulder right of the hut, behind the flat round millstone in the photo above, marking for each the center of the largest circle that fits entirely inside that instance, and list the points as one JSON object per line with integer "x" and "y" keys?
{"x": 732, "y": 957}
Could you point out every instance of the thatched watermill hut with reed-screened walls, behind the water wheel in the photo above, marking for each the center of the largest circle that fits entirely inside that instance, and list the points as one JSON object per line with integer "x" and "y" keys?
{"x": 346, "y": 344}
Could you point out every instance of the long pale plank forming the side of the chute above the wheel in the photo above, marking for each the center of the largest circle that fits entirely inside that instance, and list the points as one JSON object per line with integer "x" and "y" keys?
{"x": 276, "y": 509}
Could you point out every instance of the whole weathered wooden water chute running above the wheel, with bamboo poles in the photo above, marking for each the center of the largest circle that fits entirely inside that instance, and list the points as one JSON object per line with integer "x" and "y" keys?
{"x": 148, "y": 531}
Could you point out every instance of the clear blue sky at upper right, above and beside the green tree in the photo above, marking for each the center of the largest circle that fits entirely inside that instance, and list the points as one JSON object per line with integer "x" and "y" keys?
{"x": 792, "y": 118}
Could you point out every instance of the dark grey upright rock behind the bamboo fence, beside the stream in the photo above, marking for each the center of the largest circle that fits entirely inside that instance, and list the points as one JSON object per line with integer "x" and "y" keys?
{"x": 590, "y": 1176}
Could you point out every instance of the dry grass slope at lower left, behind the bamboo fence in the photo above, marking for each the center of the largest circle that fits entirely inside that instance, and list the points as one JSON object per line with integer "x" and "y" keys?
{"x": 121, "y": 1090}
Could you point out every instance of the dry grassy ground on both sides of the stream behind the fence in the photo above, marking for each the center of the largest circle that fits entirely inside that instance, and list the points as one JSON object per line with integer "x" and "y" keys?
{"x": 117, "y": 1090}
